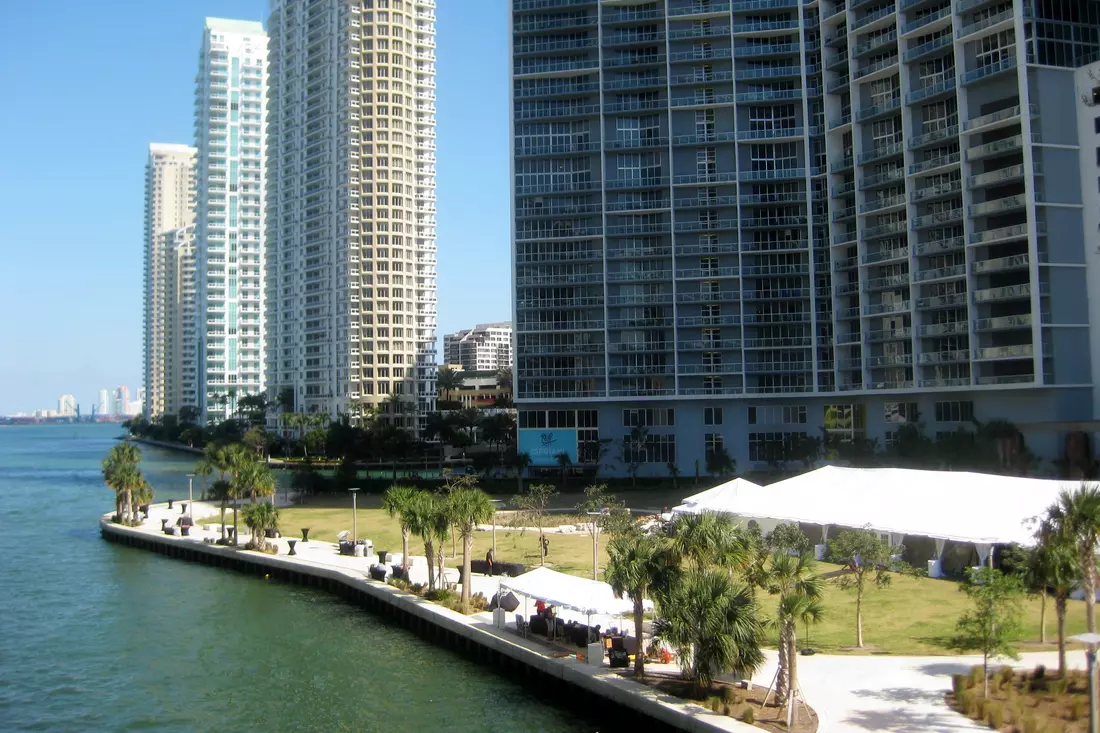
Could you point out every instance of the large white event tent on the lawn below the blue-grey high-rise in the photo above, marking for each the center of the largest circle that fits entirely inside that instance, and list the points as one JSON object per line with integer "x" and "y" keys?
{"x": 977, "y": 509}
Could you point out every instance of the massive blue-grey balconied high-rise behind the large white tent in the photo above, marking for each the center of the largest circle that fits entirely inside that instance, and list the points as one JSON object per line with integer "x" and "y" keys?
{"x": 742, "y": 223}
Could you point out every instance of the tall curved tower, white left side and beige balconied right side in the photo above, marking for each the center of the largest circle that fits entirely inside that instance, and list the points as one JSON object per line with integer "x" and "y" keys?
{"x": 351, "y": 205}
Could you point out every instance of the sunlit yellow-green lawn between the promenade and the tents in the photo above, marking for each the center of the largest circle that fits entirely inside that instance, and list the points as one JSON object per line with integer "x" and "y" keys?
{"x": 911, "y": 617}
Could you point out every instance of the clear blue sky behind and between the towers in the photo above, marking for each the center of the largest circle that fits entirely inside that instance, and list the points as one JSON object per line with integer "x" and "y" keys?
{"x": 86, "y": 86}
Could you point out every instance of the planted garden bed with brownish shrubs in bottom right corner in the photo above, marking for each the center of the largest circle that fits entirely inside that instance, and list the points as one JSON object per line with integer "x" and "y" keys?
{"x": 1037, "y": 702}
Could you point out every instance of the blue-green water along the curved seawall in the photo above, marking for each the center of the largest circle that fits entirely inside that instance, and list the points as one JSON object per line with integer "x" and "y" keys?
{"x": 101, "y": 638}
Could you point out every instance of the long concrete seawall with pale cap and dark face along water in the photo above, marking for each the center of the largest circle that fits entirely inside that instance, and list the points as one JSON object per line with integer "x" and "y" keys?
{"x": 621, "y": 703}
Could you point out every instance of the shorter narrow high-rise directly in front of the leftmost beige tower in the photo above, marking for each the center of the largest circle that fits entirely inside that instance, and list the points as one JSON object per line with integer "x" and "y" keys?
{"x": 181, "y": 324}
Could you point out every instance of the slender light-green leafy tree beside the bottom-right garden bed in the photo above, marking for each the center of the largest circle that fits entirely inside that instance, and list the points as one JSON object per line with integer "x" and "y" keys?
{"x": 994, "y": 622}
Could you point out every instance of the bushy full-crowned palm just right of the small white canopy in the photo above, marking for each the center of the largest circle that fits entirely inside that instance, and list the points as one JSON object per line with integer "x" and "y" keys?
{"x": 714, "y": 625}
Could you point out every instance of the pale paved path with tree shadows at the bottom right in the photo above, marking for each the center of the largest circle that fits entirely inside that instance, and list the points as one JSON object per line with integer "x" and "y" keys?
{"x": 861, "y": 694}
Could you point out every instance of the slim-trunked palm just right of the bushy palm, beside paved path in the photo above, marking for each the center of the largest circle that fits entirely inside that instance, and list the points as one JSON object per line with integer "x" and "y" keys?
{"x": 800, "y": 592}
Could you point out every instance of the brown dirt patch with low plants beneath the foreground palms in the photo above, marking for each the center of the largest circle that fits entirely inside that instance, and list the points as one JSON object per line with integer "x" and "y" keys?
{"x": 725, "y": 698}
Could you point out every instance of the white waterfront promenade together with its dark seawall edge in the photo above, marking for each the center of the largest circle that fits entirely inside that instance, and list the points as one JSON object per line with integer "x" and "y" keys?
{"x": 321, "y": 564}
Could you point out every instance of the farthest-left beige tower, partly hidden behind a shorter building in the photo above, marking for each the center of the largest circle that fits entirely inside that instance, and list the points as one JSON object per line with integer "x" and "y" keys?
{"x": 170, "y": 204}
